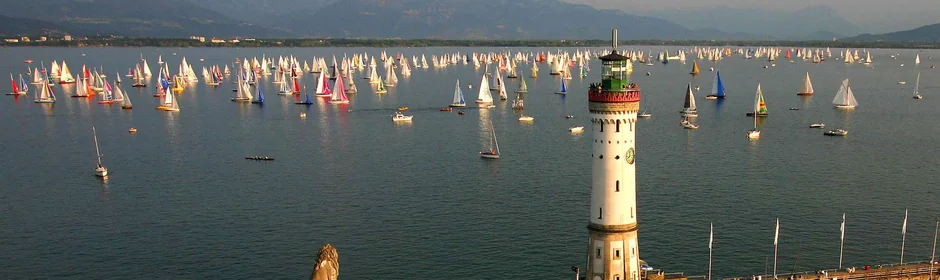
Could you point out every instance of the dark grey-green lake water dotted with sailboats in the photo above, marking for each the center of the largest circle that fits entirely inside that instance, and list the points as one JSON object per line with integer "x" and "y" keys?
{"x": 415, "y": 201}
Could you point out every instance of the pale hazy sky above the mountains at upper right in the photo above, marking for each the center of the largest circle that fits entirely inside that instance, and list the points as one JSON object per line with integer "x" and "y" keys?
{"x": 876, "y": 15}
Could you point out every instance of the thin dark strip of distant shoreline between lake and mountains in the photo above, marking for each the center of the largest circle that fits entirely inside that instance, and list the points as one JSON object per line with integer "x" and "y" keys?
{"x": 387, "y": 43}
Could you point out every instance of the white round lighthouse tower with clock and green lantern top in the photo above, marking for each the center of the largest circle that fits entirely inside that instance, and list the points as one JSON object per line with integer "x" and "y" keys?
{"x": 613, "y": 250}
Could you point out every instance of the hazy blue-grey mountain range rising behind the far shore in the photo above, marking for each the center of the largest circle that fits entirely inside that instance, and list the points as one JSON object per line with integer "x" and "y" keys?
{"x": 442, "y": 19}
